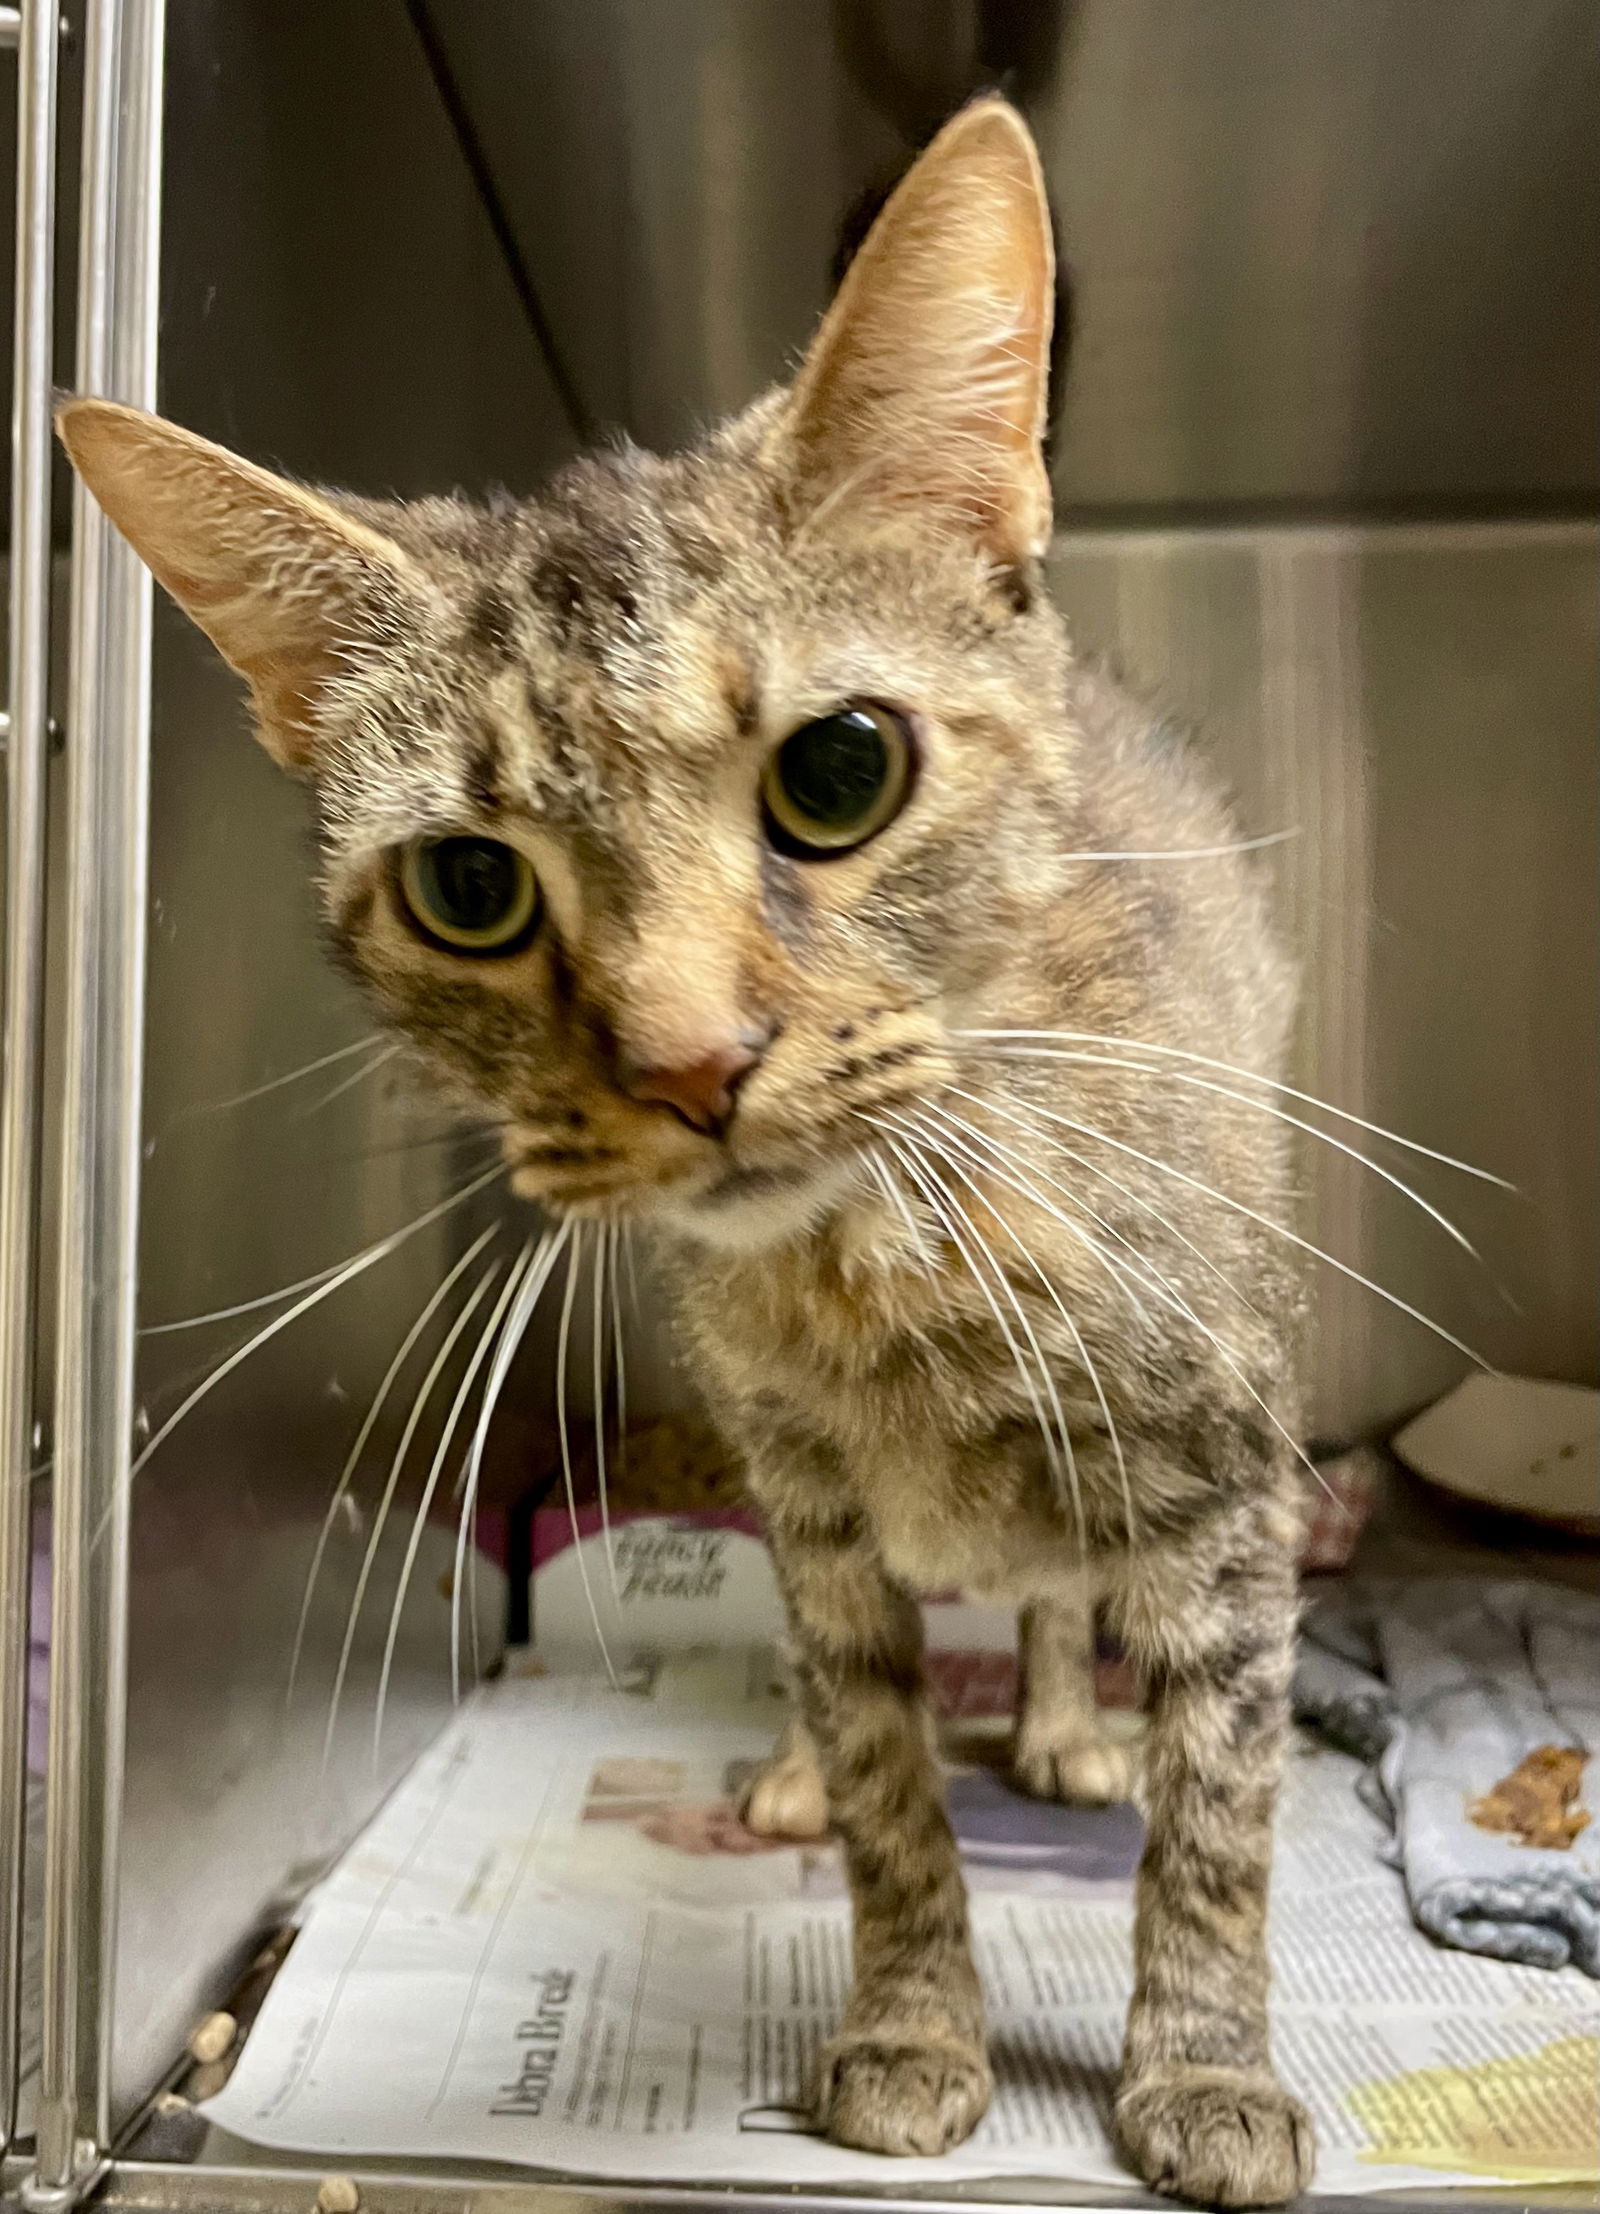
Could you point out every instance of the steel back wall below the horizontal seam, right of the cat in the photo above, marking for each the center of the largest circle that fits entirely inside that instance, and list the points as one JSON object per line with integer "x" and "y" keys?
{"x": 1420, "y": 707}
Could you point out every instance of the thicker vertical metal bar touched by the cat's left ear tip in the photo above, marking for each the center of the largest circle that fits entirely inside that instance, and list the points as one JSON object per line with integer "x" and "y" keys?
{"x": 107, "y": 829}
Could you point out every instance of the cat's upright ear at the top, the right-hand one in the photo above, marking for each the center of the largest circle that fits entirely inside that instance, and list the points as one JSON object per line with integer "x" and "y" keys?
{"x": 926, "y": 391}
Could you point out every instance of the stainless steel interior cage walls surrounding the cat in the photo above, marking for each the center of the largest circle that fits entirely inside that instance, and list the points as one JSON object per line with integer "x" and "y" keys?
{"x": 1324, "y": 262}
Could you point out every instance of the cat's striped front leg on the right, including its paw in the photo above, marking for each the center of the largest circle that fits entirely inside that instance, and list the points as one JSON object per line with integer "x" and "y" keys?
{"x": 1201, "y": 2109}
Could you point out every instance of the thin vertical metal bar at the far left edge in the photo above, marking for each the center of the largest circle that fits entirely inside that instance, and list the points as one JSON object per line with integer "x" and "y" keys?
{"x": 23, "y": 1024}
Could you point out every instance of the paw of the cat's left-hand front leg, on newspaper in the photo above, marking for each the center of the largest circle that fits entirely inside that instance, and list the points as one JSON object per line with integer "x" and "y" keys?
{"x": 897, "y": 2096}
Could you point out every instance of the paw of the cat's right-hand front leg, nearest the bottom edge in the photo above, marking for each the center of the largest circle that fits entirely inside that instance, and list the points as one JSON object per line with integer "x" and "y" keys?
{"x": 1218, "y": 2135}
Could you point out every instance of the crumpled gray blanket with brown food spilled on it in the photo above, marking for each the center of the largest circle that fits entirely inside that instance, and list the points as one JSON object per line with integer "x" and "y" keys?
{"x": 1446, "y": 1688}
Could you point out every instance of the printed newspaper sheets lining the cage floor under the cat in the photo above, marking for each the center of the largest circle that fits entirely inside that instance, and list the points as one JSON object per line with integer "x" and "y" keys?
{"x": 557, "y": 1949}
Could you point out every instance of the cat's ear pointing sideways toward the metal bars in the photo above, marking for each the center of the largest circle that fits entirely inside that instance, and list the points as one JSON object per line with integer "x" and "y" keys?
{"x": 276, "y": 577}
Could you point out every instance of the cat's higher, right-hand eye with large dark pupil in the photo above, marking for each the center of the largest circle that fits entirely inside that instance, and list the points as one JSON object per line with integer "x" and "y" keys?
{"x": 838, "y": 783}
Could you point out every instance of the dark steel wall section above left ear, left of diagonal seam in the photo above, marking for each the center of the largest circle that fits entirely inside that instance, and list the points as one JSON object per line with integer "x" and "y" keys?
{"x": 335, "y": 300}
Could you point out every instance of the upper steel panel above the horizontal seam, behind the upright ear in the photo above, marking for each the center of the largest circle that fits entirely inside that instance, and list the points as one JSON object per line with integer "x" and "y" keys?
{"x": 1322, "y": 256}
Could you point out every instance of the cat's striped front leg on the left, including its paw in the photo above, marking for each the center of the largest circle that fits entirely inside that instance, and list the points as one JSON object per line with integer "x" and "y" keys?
{"x": 908, "y": 2069}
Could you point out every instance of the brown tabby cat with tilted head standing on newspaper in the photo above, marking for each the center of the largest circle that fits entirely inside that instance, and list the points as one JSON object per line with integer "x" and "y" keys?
{"x": 742, "y": 836}
